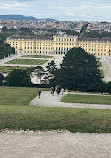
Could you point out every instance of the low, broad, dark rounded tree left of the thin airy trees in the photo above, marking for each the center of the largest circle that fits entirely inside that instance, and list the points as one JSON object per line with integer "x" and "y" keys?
{"x": 18, "y": 78}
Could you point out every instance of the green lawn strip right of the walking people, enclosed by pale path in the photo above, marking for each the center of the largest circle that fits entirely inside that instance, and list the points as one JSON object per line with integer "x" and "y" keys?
{"x": 89, "y": 99}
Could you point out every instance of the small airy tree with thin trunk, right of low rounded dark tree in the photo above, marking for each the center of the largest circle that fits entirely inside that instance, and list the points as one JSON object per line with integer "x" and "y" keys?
{"x": 39, "y": 72}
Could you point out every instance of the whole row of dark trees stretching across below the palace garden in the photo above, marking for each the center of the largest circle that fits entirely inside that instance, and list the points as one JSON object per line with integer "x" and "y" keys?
{"x": 78, "y": 71}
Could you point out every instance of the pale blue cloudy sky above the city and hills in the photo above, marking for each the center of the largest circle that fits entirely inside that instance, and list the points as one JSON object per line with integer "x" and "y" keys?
{"x": 69, "y": 10}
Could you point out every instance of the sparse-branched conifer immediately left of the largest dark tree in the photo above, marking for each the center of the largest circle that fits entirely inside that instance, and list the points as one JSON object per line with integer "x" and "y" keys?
{"x": 50, "y": 72}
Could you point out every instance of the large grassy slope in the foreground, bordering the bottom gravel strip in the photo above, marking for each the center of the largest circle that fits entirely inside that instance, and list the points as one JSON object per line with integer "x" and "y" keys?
{"x": 15, "y": 113}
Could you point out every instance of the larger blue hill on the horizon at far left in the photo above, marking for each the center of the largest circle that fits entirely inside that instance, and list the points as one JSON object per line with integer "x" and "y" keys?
{"x": 16, "y": 17}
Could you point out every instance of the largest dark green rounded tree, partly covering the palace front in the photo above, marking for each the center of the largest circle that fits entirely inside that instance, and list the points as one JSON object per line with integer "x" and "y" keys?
{"x": 79, "y": 71}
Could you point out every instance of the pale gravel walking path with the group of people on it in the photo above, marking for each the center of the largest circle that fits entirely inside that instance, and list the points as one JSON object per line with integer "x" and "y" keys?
{"x": 48, "y": 100}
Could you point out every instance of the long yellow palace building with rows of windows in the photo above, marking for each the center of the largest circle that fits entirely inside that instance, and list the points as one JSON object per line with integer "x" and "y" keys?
{"x": 59, "y": 44}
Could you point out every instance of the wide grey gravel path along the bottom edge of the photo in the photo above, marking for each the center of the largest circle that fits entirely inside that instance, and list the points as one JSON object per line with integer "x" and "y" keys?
{"x": 55, "y": 145}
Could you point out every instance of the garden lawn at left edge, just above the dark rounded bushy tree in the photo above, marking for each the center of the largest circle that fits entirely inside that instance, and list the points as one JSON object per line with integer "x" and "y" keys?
{"x": 8, "y": 69}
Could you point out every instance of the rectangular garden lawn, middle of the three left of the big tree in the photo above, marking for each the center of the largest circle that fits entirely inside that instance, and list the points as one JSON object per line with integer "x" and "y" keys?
{"x": 27, "y": 61}
